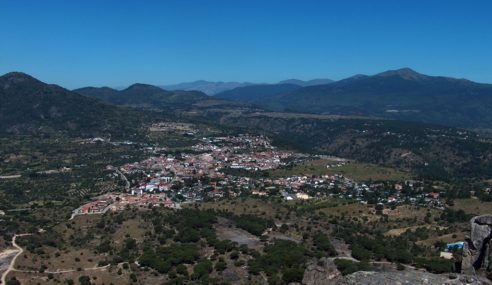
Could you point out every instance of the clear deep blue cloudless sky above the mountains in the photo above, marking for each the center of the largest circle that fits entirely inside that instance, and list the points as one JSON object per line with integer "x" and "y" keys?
{"x": 115, "y": 43}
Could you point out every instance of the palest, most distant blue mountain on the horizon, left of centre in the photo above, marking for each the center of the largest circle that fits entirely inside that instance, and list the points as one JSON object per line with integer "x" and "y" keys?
{"x": 207, "y": 87}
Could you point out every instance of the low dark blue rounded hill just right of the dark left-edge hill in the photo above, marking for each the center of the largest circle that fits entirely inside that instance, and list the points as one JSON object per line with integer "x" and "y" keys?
{"x": 144, "y": 95}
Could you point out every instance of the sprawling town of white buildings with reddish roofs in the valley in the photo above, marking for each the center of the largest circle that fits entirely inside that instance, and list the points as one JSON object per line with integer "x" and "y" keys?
{"x": 238, "y": 166}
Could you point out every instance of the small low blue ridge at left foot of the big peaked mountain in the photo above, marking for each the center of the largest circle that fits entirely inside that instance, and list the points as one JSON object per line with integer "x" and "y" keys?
{"x": 258, "y": 94}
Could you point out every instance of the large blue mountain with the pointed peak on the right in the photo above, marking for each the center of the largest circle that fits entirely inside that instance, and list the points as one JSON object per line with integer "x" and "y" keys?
{"x": 402, "y": 94}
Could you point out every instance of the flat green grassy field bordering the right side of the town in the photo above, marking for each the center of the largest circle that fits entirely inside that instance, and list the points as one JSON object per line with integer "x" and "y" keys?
{"x": 354, "y": 170}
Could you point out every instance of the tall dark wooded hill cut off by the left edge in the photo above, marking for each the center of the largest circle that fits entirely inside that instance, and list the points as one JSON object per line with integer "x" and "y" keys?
{"x": 31, "y": 106}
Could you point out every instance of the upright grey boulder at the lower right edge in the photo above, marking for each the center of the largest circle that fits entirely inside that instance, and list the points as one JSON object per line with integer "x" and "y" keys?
{"x": 477, "y": 253}
